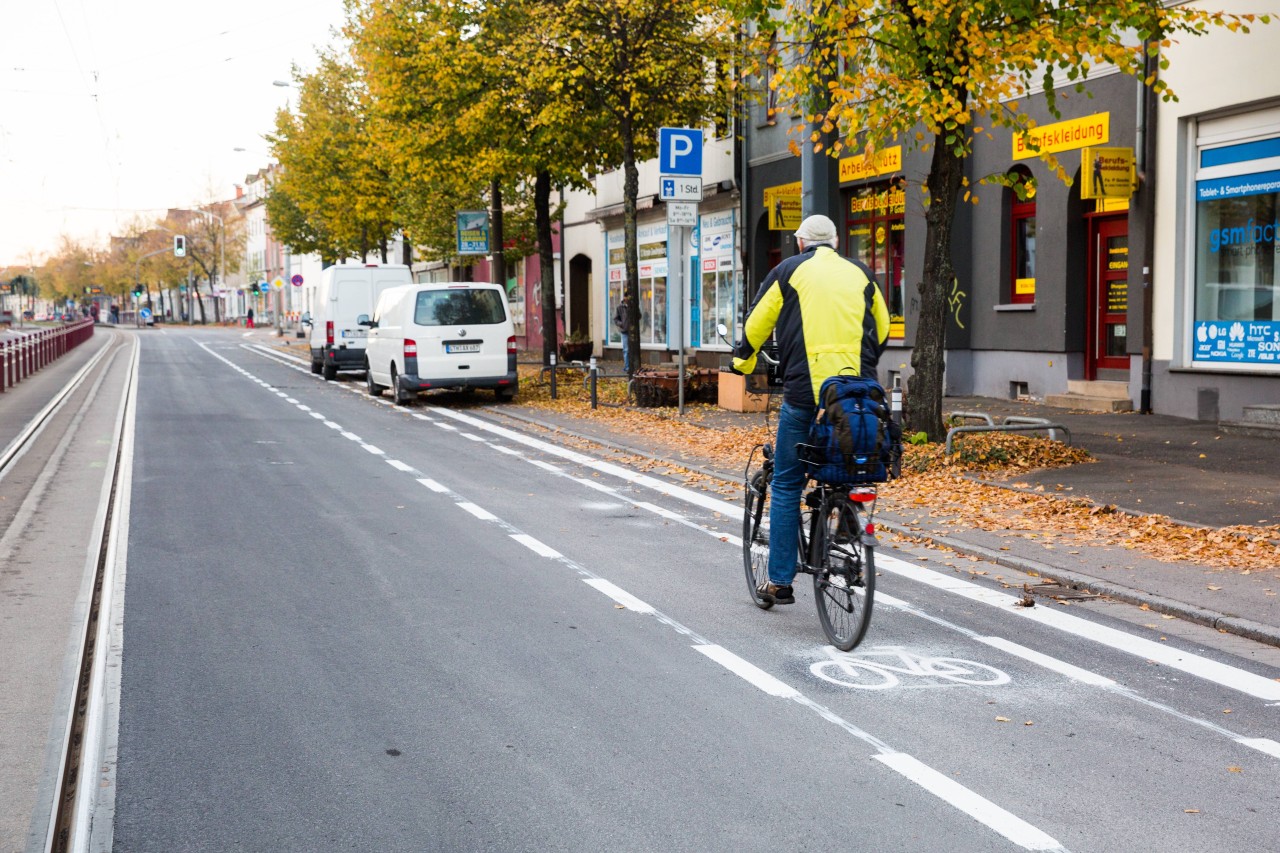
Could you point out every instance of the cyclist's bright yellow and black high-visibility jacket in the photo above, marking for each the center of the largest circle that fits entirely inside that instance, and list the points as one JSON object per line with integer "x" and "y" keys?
{"x": 830, "y": 318}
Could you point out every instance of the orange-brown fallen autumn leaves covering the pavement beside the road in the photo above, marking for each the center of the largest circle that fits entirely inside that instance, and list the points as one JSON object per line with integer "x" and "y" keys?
{"x": 932, "y": 485}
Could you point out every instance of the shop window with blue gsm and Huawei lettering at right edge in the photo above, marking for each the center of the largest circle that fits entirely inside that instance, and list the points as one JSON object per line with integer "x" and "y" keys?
{"x": 1237, "y": 238}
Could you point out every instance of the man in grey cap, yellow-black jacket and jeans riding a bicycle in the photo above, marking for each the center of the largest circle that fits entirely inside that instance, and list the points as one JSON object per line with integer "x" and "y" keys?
{"x": 830, "y": 317}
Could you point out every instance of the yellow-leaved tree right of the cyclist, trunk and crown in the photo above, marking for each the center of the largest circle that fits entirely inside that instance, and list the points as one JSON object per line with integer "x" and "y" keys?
{"x": 932, "y": 74}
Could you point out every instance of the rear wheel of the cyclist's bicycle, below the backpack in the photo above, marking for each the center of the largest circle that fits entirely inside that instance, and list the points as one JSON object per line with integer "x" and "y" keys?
{"x": 844, "y": 580}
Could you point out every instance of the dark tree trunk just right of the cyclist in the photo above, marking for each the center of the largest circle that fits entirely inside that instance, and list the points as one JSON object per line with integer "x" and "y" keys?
{"x": 925, "y": 390}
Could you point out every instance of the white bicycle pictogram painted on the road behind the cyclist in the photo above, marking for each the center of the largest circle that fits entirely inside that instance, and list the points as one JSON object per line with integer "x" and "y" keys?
{"x": 880, "y": 668}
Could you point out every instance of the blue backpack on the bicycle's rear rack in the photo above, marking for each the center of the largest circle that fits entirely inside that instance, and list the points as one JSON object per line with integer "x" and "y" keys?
{"x": 851, "y": 441}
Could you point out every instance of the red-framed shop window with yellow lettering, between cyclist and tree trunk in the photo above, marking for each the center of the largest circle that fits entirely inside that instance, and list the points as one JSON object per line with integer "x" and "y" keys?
{"x": 876, "y": 236}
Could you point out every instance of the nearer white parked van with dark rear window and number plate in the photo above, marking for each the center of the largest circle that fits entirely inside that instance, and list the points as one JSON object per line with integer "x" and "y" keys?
{"x": 441, "y": 336}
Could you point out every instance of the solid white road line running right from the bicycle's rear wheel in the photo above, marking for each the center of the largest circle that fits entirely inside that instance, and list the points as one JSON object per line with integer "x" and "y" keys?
{"x": 1204, "y": 668}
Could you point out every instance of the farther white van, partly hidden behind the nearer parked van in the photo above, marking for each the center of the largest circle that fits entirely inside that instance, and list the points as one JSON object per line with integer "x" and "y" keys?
{"x": 348, "y": 291}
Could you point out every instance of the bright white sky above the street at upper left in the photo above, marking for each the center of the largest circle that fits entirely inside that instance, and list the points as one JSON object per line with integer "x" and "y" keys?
{"x": 115, "y": 108}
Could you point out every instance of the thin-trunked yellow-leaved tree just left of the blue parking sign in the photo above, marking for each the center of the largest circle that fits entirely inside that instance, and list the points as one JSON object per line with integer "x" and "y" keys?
{"x": 641, "y": 65}
